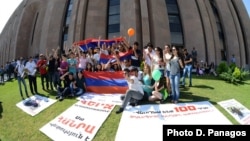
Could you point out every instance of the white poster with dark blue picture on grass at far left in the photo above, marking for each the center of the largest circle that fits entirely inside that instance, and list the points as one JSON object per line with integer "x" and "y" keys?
{"x": 35, "y": 104}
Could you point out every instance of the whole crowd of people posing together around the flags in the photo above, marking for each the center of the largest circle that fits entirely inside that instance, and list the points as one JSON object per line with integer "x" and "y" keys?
{"x": 63, "y": 71}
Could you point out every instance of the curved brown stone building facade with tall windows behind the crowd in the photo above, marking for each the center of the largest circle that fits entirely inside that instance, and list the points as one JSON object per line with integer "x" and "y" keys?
{"x": 216, "y": 28}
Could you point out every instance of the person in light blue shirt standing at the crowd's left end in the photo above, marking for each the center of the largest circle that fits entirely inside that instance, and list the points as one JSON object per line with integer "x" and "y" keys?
{"x": 20, "y": 71}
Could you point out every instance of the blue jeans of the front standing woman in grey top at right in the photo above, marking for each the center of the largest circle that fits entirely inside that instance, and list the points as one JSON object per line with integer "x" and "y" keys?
{"x": 175, "y": 82}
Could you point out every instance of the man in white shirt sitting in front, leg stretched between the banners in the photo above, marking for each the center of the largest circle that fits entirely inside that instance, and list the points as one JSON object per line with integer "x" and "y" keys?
{"x": 135, "y": 90}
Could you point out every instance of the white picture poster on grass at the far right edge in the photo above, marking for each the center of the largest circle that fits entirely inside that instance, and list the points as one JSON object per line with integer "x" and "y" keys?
{"x": 237, "y": 110}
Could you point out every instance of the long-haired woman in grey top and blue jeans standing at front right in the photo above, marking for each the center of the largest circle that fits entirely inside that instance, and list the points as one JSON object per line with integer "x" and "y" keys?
{"x": 175, "y": 68}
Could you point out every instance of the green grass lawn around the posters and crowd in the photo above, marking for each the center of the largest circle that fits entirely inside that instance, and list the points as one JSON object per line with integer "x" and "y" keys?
{"x": 15, "y": 125}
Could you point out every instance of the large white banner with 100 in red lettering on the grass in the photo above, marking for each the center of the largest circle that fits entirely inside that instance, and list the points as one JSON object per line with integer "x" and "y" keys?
{"x": 145, "y": 122}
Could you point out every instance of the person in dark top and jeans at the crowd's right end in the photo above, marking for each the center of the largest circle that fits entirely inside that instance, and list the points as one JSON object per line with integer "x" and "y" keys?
{"x": 188, "y": 67}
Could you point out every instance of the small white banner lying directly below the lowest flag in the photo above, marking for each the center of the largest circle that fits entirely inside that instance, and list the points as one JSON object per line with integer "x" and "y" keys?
{"x": 105, "y": 98}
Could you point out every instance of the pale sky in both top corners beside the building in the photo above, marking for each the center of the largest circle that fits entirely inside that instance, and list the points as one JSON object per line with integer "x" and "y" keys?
{"x": 7, "y": 7}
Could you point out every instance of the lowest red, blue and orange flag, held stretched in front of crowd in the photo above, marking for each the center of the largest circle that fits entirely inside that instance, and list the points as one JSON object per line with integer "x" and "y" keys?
{"x": 105, "y": 82}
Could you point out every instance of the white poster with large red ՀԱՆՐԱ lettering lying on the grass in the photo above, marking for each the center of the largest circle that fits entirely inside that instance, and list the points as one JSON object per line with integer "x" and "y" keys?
{"x": 80, "y": 122}
